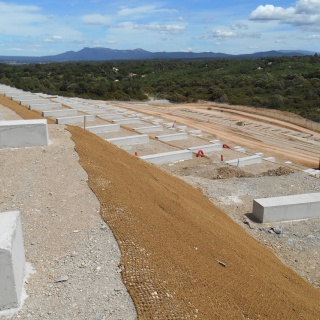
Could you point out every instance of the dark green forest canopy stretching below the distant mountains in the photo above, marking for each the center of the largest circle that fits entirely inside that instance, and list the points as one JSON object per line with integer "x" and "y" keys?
{"x": 284, "y": 83}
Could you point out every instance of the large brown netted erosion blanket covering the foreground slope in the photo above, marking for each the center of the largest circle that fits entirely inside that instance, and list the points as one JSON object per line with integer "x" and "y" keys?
{"x": 181, "y": 256}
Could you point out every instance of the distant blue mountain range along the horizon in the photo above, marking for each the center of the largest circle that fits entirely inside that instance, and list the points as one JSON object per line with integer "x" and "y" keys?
{"x": 105, "y": 54}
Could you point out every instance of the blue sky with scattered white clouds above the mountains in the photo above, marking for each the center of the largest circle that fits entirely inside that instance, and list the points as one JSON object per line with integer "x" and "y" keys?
{"x": 46, "y": 27}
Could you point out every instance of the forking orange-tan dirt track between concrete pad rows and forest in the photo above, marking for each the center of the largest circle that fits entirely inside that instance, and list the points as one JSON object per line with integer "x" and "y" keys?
{"x": 267, "y": 142}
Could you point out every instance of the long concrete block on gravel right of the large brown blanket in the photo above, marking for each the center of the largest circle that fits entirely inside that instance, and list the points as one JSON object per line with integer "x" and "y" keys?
{"x": 286, "y": 208}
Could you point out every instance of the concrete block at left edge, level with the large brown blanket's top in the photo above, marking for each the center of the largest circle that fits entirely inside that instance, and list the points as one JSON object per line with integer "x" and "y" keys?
{"x": 23, "y": 133}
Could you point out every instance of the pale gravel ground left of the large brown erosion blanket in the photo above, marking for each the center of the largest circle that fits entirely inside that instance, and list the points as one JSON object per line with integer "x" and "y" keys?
{"x": 72, "y": 251}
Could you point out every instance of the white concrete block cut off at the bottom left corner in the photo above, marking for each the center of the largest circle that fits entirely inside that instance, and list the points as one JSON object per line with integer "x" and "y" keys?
{"x": 12, "y": 260}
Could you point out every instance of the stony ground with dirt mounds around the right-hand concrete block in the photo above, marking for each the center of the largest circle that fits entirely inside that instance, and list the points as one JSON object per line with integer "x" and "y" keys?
{"x": 296, "y": 243}
